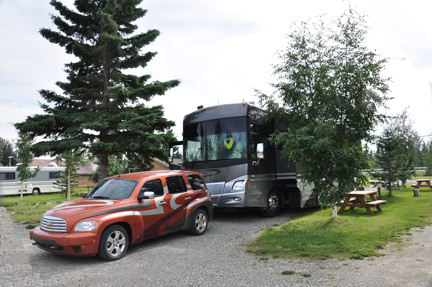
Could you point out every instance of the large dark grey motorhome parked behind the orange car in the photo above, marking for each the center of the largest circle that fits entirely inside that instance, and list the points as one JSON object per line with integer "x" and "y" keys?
{"x": 229, "y": 145}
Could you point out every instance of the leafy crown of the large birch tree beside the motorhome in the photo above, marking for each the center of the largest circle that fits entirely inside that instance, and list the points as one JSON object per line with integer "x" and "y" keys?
{"x": 328, "y": 95}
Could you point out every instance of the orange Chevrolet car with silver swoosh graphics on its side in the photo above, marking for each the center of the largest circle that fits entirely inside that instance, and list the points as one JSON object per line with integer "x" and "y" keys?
{"x": 125, "y": 210}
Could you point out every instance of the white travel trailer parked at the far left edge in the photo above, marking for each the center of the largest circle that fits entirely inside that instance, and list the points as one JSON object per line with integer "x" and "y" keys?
{"x": 43, "y": 182}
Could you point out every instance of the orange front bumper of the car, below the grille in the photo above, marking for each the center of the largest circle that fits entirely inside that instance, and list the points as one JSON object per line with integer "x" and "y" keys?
{"x": 75, "y": 244}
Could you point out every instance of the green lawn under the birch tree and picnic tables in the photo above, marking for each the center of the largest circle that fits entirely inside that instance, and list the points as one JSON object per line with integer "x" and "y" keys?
{"x": 354, "y": 234}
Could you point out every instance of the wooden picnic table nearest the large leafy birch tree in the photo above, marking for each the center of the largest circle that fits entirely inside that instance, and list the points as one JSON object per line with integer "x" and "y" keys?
{"x": 358, "y": 199}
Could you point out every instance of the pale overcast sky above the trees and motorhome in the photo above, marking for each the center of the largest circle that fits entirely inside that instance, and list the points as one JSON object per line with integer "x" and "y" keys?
{"x": 220, "y": 50}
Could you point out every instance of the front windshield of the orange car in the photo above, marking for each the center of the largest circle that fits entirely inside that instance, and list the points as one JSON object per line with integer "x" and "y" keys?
{"x": 113, "y": 189}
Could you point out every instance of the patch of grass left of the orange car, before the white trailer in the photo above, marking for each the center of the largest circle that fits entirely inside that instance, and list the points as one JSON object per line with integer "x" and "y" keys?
{"x": 29, "y": 211}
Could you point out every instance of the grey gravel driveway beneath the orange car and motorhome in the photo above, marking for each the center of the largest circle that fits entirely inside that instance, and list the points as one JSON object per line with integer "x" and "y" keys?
{"x": 217, "y": 258}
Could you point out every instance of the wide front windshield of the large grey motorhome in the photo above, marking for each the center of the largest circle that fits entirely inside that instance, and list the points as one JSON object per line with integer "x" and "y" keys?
{"x": 215, "y": 140}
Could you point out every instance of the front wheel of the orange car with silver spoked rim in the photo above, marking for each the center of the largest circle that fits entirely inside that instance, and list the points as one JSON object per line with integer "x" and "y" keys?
{"x": 114, "y": 243}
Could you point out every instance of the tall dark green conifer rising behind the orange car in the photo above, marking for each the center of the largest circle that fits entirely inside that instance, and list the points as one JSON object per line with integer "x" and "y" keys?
{"x": 102, "y": 107}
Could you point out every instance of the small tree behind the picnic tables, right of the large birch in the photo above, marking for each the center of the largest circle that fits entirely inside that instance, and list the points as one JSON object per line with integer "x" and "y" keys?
{"x": 396, "y": 152}
